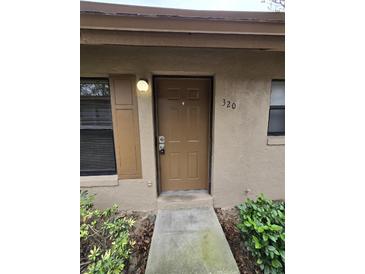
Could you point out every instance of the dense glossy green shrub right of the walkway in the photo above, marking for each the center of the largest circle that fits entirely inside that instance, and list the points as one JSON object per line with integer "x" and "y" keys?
{"x": 262, "y": 227}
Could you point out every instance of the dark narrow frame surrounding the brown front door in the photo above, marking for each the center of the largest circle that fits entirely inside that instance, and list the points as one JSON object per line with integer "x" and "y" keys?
{"x": 155, "y": 123}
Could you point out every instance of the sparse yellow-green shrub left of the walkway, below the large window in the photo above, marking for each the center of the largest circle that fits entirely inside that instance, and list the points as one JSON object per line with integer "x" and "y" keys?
{"x": 105, "y": 245}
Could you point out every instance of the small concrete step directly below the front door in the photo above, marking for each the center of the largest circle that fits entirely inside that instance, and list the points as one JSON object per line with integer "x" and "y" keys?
{"x": 184, "y": 199}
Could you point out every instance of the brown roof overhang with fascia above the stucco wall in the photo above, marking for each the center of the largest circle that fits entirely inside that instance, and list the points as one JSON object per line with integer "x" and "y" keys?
{"x": 111, "y": 24}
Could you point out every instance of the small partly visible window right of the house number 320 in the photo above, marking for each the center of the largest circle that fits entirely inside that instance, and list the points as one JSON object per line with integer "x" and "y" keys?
{"x": 277, "y": 108}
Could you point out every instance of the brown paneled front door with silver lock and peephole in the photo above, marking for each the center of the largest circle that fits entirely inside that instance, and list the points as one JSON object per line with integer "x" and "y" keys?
{"x": 183, "y": 121}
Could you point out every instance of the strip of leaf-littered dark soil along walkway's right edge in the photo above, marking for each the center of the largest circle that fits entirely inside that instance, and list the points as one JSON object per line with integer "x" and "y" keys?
{"x": 228, "y": 219}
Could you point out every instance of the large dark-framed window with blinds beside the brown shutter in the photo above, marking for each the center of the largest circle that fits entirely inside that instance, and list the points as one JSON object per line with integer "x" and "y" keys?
{"x": 97, "y": 155}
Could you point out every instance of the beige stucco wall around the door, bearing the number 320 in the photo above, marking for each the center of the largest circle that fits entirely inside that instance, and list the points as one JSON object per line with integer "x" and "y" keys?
{"x": 243, "y": 164}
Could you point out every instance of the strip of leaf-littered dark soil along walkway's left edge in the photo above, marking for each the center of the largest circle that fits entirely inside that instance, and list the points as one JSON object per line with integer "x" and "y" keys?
{"x": 142, "y": 234}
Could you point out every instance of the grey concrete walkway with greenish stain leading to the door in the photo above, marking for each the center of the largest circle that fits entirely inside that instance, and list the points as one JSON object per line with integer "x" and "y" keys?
{"x": 189, "y": 241}
